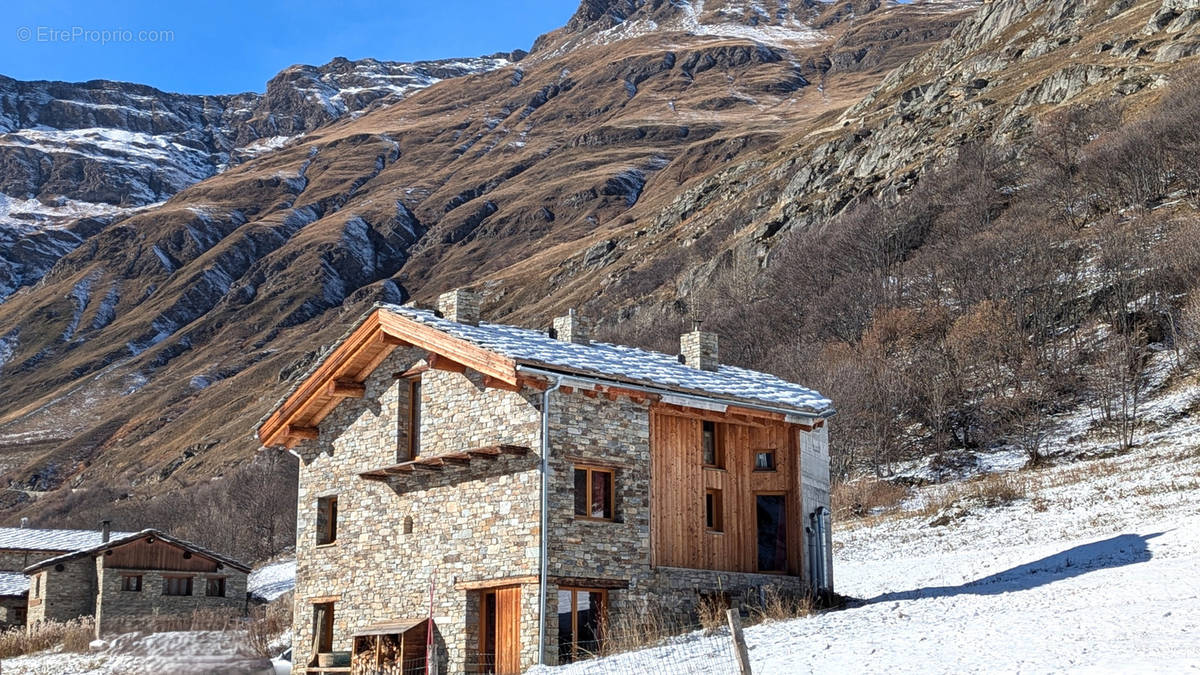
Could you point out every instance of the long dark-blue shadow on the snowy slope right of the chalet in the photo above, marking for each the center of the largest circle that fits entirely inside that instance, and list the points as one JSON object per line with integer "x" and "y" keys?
{"x": 1117, "y": 552}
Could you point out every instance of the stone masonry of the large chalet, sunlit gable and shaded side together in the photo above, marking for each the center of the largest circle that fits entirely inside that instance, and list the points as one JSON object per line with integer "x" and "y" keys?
{"x": 479, "y": 523}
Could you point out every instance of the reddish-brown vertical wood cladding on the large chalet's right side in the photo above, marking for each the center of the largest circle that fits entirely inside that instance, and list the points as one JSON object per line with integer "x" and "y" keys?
{"x": 679, "y": 482}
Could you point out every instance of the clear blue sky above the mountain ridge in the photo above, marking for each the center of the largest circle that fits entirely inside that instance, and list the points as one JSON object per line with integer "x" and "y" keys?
{"x": 229, "y": 47}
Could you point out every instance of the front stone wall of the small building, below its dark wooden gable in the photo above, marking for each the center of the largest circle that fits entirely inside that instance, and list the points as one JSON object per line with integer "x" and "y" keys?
{"x": 119, "y": 611}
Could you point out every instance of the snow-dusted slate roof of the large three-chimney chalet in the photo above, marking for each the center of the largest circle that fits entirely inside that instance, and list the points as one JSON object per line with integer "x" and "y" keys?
{"x": 626, "y": 365}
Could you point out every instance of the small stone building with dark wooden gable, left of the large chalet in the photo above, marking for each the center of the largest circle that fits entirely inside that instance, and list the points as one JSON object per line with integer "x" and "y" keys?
{"x": 143, "y": 581}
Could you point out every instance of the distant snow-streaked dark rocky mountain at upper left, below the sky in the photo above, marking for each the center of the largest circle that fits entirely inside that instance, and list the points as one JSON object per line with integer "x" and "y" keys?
{"x": 101, "y": 150}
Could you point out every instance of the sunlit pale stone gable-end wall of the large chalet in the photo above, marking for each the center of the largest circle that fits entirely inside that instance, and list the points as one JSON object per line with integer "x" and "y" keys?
{"x": 470, "y": 524}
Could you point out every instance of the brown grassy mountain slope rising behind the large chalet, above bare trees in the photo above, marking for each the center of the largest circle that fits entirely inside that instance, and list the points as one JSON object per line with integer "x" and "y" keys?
{"x": 617, "y": 169}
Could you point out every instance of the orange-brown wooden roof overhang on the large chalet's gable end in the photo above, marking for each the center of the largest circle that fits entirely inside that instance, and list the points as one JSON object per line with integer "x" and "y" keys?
{"x": 343, "y": 373}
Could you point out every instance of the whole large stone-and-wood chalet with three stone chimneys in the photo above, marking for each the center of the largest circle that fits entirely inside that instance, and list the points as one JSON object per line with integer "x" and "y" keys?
{"x": 511, "y": 494}
